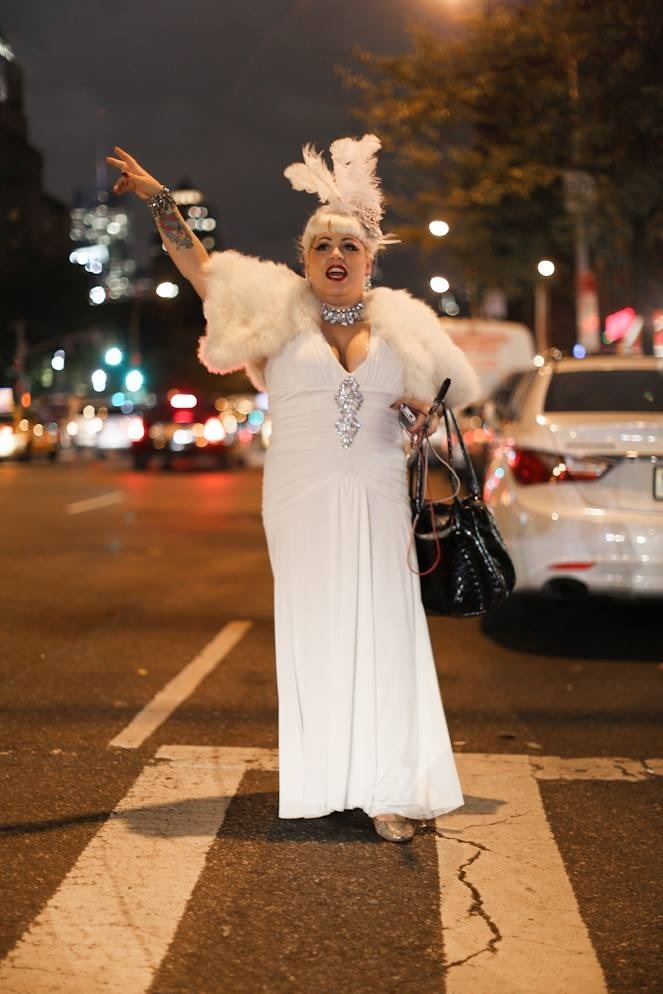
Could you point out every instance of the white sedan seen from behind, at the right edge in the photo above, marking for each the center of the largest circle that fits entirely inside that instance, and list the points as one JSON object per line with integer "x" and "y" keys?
{"x": 575, "y": 479}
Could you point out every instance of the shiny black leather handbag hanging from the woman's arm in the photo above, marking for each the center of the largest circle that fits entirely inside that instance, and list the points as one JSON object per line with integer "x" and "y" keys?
{"x": 463, "y": 564}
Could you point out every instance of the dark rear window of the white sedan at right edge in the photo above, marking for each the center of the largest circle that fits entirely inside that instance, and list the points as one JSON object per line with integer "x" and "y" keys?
{"x": 606, "y": 390}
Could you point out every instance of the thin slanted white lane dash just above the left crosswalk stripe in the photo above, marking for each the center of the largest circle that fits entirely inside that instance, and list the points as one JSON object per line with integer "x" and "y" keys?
{"x": 180, "y": 687}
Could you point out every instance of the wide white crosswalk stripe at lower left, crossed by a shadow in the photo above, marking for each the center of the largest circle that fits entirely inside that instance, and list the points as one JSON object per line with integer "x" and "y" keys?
{"x": 109, "y": 924}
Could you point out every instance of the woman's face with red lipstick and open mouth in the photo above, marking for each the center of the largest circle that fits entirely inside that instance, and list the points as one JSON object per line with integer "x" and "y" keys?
{"x": 337, "y": 266}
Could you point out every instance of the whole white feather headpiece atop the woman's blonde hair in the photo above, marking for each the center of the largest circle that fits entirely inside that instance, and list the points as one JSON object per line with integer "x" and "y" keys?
{"x": 351, "y": 188}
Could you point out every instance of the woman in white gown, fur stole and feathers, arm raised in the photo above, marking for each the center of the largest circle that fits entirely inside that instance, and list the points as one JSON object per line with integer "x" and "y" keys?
{"x": 361, "y": 721}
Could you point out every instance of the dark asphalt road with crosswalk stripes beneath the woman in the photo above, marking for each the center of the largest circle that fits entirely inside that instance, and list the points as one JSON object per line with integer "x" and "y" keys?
{"x": 112, "y": 583}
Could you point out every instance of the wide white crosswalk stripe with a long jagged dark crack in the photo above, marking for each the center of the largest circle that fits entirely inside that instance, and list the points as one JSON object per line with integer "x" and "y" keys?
{"x": 510, "y": 919}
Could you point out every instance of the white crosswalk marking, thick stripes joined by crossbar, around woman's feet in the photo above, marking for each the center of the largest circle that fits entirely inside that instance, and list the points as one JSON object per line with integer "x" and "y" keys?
{"x": 503, "y": 884}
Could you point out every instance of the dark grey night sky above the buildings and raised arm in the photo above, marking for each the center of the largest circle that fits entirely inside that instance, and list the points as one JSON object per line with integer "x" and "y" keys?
{"x": 223, "y": 92}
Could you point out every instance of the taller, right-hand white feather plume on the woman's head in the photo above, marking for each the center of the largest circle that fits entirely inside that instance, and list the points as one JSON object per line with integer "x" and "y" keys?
{"x": 354, "y": 173}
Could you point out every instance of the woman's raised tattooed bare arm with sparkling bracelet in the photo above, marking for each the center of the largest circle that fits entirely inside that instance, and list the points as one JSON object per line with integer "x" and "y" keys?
{"x": 183, "y": 247}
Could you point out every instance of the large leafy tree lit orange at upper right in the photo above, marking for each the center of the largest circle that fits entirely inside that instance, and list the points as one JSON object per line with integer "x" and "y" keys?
{"x": 488, "y": 121}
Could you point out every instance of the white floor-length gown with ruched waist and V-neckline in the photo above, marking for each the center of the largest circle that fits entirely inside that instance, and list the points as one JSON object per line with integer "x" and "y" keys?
{"x": 361, "y": 721}
